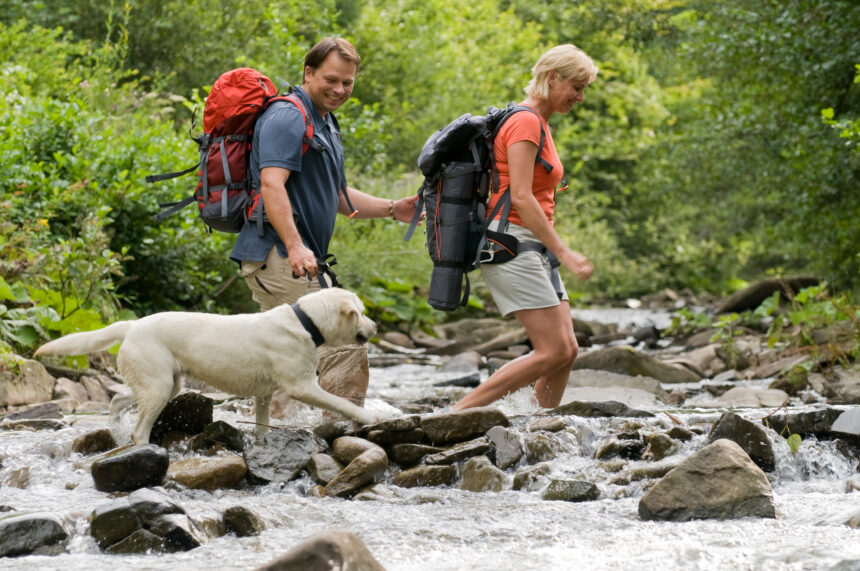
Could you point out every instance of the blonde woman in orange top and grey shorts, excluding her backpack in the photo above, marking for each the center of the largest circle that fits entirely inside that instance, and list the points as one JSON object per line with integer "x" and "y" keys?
{"x": 524, "y": 287}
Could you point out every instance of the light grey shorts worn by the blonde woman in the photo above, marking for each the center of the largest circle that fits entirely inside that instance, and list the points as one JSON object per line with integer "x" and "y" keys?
{"x": 524, "y": 282}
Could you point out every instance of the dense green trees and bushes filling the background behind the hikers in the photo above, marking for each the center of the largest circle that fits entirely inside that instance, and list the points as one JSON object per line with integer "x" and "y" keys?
{"x": 718, "y": 143}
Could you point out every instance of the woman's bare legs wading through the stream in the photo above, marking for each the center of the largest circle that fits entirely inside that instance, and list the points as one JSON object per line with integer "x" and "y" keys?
{"x": 550, "y": 330}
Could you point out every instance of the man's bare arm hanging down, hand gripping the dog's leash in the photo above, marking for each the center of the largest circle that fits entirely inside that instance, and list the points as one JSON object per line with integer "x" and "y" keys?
{"x": 280, "y": 214}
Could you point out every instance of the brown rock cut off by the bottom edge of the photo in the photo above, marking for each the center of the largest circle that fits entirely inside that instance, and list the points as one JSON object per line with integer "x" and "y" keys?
{"x": 331, "y": 550}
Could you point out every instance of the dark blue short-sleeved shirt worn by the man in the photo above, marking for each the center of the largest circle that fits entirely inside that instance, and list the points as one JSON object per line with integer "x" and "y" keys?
{"x": 314, "y": 183}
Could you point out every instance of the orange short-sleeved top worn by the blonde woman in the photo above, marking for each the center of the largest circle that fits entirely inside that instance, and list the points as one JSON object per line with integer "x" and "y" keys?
{"x": 525, "y": 126}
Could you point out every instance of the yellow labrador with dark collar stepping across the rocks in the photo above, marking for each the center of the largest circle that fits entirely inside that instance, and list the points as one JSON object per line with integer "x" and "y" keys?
{"x": 246, "y": 355}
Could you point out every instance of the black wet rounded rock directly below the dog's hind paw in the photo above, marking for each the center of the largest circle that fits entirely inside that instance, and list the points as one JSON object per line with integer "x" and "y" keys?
{"x": 128, "y": 469}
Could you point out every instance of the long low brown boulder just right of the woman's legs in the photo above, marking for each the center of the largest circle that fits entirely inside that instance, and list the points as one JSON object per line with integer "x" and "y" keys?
{"x": 628, "y": 361}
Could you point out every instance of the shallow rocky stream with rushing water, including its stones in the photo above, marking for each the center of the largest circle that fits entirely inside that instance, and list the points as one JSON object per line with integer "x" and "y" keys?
{"x": 666, "y": 453}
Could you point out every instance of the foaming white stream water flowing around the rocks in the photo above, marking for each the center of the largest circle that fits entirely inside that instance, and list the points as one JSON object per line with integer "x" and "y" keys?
{"x": 445, "y": 528}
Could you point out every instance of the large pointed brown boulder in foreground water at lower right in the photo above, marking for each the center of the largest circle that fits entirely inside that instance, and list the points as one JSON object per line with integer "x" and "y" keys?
{"x": 717, "y": 482}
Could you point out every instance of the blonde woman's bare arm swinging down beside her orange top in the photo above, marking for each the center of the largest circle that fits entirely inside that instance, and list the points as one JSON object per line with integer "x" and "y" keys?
{"x": 521, "y": 161}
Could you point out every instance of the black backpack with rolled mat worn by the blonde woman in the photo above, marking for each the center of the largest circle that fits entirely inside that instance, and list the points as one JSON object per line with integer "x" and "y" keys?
{"x": 459, "y": 168}
